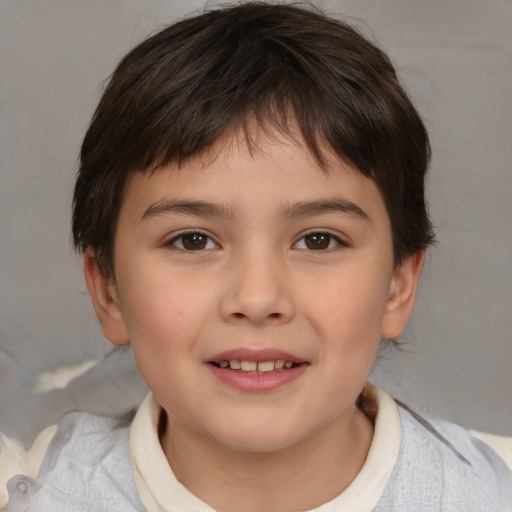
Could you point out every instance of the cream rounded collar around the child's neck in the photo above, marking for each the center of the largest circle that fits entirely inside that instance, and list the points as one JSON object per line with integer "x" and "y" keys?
{"x": 160, "y": 491}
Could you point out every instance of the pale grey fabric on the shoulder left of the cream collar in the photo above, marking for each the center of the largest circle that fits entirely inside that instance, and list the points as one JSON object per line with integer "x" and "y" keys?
{"x": 87, "y": 467}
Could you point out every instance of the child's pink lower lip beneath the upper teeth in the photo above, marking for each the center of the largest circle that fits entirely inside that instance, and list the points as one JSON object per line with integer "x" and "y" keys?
{"x": 258, "y": 382}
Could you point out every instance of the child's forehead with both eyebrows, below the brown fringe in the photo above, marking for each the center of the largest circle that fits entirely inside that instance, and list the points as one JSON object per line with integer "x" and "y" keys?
{"x": 275, "y": 179}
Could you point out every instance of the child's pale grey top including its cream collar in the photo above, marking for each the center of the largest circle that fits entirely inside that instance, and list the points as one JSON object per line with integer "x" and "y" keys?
{"x": 413, "y": 465}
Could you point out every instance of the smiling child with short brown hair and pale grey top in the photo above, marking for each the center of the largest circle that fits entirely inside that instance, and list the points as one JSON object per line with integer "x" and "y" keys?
{"x": 250, "y": 205}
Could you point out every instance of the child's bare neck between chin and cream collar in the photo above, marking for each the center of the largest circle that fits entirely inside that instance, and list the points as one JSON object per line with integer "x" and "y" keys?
{"x": 299, "y": 477}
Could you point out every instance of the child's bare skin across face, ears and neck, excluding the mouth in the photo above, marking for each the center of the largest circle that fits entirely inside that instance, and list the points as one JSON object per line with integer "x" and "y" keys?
{"x": 257, "y": 283}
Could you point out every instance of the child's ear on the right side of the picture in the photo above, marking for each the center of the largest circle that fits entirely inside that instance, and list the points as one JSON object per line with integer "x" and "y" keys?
{"x": 402, "y": 294}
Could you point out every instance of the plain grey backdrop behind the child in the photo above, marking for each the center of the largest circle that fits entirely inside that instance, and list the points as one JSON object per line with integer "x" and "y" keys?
{"x": 455, "y": 57}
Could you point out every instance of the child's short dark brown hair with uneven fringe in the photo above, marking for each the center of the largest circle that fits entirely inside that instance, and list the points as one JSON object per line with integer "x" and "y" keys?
{"x": 175, "y": 94}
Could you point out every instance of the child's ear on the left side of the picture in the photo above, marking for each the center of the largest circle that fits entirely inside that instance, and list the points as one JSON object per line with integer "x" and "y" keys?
{"x": 105, "y": 301}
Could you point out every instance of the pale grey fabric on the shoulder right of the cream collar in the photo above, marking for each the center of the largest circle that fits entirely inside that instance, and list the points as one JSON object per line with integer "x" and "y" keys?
{"x": 442, "y": 467}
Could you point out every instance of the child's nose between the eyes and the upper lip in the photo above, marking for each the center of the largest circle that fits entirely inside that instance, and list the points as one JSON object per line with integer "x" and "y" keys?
{"x": 257, "y": 292}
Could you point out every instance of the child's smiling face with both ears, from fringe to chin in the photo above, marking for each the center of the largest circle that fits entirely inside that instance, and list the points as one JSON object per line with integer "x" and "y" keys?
{"x": 254, "y": 258}
